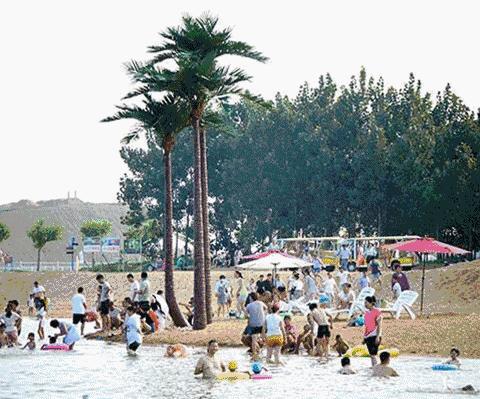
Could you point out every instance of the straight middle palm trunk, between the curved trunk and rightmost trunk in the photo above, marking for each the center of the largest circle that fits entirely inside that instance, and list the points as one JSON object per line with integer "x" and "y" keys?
{"x": 200, "y": 314}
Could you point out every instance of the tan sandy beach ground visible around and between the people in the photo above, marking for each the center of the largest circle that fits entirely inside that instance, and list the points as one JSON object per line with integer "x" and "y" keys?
{"x": 451, "y": 316}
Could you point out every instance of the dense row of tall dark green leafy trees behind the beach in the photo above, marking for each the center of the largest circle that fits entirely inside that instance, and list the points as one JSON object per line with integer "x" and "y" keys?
{"x": 370, "y": 158}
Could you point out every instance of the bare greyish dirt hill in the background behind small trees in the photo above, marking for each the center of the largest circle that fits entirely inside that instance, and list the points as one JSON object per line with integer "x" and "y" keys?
{"x": 69, "y": 213}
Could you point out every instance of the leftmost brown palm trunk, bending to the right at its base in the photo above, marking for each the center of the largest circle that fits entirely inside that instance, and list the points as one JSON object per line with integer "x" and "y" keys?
{"x": 177, "y": 316}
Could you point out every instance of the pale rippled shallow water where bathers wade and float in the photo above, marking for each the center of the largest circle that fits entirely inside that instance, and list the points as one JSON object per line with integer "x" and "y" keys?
{"x": 102, "y": 370}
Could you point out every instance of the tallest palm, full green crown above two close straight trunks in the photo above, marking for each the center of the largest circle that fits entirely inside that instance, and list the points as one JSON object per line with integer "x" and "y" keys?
{"x": 195, "y": 46}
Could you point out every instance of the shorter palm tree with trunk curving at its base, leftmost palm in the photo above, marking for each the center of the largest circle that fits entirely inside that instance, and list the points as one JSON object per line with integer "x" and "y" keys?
{"x": 161, "y": 121}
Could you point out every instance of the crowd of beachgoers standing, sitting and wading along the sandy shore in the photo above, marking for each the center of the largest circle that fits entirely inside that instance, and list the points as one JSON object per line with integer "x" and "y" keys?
{"x": 261, "y": 302}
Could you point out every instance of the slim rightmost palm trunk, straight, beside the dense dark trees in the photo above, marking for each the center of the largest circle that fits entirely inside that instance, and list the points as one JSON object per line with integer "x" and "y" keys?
{"x": 206, "y": 239}
